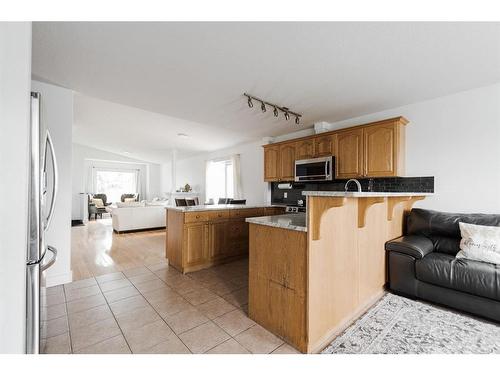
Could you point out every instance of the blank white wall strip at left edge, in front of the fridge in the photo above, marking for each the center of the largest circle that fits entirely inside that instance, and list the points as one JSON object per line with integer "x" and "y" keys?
{"x": 15, "y": 77}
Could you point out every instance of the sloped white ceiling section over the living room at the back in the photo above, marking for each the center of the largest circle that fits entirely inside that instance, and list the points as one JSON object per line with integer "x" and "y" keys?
{"x": 141, "y": 134}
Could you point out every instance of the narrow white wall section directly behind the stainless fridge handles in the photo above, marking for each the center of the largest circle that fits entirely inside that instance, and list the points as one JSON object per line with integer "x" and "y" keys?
{"x": 57, "y": 115}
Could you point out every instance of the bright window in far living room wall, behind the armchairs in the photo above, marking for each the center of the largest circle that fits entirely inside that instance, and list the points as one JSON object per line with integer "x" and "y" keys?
{"x": 114, "y": 183}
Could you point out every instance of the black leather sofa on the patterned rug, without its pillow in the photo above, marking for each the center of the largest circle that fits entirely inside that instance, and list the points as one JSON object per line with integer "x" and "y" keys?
{"x": 422, "y": 264}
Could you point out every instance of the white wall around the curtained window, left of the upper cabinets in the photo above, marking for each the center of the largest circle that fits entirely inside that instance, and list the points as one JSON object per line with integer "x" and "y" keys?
{"x": 192, "y": 171}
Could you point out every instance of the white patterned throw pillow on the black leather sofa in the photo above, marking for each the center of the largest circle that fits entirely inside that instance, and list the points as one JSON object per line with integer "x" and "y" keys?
{"x": 480, "y": 242}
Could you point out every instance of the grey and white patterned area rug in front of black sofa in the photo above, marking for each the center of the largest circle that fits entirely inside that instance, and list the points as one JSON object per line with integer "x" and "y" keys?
{"x": 397, "y": 325}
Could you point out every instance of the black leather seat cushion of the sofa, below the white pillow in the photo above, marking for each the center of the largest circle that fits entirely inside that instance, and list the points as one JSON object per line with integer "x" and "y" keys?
{"x": 469, "y": 276}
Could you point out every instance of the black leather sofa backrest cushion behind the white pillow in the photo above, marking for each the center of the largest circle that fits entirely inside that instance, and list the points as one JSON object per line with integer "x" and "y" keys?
{"x": 442, "y": 227}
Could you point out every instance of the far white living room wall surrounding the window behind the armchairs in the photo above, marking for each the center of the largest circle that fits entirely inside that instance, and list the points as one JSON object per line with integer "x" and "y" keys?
{"x": 84, "y": 156}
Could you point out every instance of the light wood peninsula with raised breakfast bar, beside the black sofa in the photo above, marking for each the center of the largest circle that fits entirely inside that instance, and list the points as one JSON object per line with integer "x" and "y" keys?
{"x": 308, "y": 283}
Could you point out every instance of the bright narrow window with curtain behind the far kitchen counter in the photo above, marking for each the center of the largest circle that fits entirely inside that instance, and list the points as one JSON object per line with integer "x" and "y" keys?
{"x": 219, "y": 179}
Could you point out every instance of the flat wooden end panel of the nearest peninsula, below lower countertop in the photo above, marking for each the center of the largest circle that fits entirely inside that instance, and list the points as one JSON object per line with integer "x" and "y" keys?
{"x": 277, "y": 282}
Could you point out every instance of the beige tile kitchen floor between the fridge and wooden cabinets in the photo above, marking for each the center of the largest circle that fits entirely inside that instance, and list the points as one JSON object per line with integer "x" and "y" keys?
{"x": 156, "y": 309}
